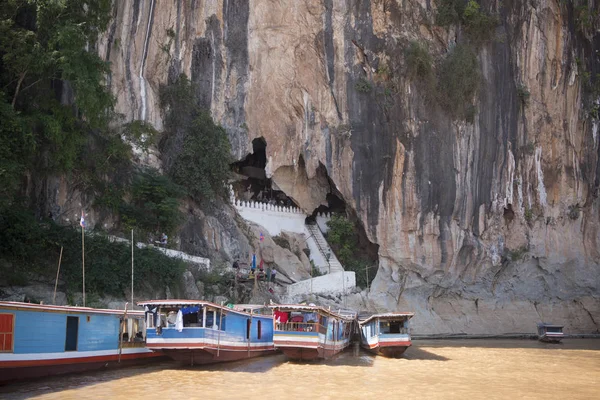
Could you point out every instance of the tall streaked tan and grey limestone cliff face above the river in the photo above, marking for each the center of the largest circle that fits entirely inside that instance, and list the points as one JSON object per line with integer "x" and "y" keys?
{"x": 482, "y": 227}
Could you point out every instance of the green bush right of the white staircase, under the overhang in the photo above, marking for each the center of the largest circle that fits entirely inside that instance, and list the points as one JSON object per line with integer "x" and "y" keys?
{"x": 344, "y": 240}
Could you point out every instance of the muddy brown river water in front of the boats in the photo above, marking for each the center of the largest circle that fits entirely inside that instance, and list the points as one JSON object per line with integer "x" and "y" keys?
{"x": 449, "y": 369}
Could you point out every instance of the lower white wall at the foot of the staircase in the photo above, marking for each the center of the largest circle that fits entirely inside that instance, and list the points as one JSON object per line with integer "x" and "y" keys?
{"x": 334, "y": 283}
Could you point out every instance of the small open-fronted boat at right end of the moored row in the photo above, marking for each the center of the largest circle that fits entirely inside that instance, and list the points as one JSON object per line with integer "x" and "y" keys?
{"x": 385, "y": 334}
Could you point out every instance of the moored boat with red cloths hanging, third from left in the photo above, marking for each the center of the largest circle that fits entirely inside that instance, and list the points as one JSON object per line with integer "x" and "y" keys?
{"x": 305, "y": 332}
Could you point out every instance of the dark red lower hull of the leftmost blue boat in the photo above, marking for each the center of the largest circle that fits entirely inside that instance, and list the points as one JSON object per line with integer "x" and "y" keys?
{"x": 31, "y": 368}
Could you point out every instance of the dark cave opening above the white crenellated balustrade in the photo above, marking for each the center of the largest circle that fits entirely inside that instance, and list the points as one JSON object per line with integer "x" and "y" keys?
{"x": 251, "y": 183}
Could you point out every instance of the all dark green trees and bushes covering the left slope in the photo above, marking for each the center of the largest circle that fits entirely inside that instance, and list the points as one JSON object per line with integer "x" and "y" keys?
{"x": 57, "y": 119}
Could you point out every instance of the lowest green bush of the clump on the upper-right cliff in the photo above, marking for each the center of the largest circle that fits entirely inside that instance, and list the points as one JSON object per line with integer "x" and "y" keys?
{"x": 458, "y": 82}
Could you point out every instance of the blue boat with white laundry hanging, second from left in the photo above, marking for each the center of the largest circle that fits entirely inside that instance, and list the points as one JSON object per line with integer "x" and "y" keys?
{"x": 200, "y": 332}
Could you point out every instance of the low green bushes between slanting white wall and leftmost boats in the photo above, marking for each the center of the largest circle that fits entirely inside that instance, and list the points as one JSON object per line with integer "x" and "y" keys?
{"x": 35, "y": 247}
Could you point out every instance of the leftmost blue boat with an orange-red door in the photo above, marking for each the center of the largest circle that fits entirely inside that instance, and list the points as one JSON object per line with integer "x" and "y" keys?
{"x": 40, "y": 340}
